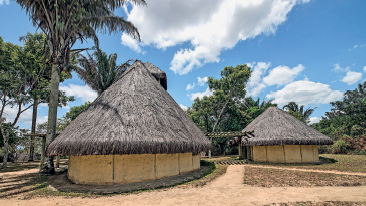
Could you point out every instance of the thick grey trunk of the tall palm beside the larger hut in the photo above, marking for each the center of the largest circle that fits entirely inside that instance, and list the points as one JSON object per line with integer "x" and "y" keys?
{"x": 48, "y": 166}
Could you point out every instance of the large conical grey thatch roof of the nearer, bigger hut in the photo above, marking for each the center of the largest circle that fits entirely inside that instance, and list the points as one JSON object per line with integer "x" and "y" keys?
{"x": 135, "y": 115}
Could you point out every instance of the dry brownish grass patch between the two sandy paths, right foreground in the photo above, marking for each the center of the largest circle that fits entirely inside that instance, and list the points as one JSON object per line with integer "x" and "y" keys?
{"x": 269, "y": 177}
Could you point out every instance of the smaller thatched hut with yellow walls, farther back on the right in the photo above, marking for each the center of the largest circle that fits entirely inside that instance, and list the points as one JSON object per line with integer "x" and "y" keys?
{"x": 278, "y": 137}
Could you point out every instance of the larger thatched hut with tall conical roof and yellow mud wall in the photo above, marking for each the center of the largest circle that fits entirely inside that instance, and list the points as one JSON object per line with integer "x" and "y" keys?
{"x": 134, "y": 131}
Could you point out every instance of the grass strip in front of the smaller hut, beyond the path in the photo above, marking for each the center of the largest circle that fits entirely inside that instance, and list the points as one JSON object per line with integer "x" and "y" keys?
{"x": 343, "y": 163}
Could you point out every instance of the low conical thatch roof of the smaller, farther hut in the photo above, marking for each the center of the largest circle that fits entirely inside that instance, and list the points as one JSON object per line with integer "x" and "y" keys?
{"x": 276, "y": 127}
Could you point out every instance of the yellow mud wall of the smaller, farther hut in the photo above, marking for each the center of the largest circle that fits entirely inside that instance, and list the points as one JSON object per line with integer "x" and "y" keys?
{"x": 285, "y": 153}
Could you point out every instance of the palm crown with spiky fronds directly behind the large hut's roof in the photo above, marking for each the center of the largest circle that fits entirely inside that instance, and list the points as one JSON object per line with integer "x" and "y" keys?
{"x": 101, "y": 72}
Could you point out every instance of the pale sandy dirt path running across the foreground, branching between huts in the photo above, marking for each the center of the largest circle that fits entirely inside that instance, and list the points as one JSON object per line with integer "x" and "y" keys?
{"x": 226, "y": 190}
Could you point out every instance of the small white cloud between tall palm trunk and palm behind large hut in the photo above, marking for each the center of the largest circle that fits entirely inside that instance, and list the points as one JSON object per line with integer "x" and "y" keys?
{"x": 78, "y": 91}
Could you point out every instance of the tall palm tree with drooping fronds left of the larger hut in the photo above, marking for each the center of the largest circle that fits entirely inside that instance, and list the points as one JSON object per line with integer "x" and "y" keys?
{"x": 64, "y": 22}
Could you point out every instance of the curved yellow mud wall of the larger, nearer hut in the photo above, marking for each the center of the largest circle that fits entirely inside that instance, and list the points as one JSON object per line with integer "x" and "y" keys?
{"x": 121, "y": 169}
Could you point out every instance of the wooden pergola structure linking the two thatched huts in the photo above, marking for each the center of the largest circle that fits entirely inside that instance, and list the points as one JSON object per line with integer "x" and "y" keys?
{"x": 243, "y": 151}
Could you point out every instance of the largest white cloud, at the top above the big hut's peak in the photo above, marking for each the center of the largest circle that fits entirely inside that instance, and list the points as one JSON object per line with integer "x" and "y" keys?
{"x": 208, "y": 28}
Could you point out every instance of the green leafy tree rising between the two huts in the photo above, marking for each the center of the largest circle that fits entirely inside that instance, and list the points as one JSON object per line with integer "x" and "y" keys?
{"x": 227, "y": 109}
